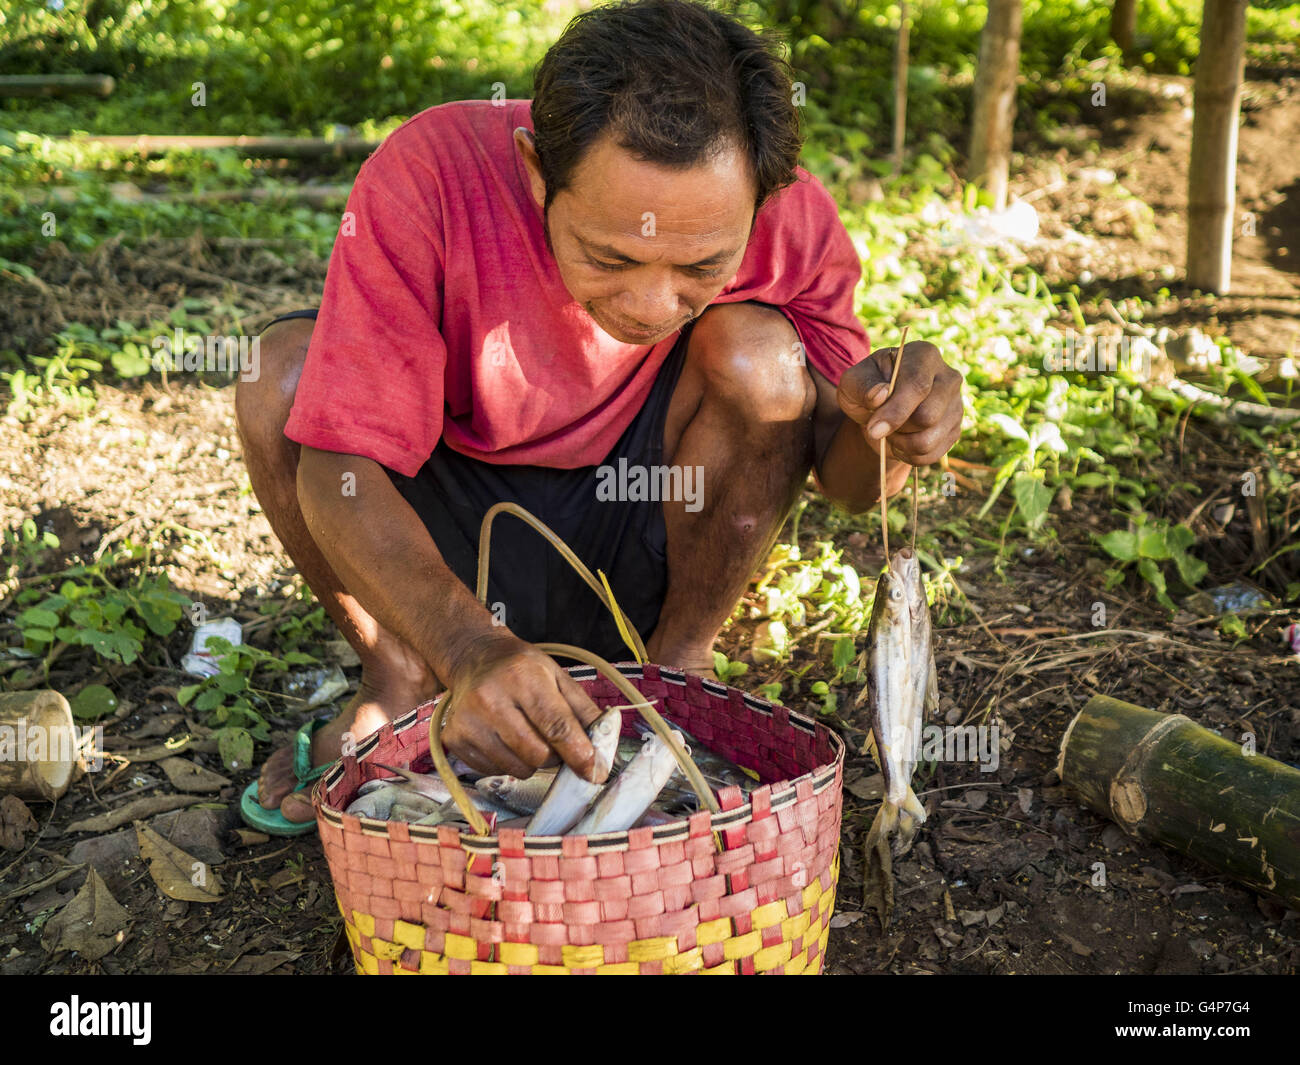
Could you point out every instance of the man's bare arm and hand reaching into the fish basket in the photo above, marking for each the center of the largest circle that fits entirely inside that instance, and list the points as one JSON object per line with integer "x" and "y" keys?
{"x": 514, "y": 704}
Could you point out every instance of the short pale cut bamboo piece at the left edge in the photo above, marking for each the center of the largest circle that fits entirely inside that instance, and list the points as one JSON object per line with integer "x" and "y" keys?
{"x": 38, "y": 744}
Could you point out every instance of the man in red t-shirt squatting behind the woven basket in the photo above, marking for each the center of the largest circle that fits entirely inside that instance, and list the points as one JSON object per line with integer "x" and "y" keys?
{"x": 629, "y": 274}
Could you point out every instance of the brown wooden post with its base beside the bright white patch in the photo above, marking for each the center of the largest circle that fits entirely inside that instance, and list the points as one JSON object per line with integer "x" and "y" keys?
{"x": 995, "y": 98}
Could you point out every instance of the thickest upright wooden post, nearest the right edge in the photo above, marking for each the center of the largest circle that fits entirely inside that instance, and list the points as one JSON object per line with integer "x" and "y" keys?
{"x": 1212, "y": 172}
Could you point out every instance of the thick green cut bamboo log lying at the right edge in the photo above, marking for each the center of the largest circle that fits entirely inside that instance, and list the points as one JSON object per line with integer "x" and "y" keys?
{"x": 1164, "y": 778}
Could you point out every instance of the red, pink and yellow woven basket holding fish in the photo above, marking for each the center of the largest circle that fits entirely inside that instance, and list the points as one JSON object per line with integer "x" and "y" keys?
{"x": 651, "y": 901}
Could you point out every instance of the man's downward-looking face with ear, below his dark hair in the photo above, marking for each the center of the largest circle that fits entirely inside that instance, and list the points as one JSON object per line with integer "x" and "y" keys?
{"x": 645, "y": 249}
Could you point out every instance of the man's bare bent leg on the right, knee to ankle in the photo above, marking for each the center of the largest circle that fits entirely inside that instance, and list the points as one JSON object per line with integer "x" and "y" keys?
{"x": 743, "y": 412}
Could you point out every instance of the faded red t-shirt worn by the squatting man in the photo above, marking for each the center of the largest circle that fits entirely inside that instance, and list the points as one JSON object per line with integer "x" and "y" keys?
{"x": 445, "y": 318}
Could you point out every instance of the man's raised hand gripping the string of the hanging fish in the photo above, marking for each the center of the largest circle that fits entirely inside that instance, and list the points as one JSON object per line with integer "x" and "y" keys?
{"x": 924, "y": 417}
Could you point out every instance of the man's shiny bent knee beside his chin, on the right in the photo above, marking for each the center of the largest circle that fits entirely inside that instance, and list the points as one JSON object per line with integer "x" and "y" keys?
{"x": 749, "y": 356}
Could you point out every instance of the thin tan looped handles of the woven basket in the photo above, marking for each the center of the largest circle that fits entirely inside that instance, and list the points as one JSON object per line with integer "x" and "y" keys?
{"x": 661, "y": 728}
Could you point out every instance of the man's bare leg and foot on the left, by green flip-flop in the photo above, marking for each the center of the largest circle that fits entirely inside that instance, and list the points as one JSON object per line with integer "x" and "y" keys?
{"x": 393, "y": 677}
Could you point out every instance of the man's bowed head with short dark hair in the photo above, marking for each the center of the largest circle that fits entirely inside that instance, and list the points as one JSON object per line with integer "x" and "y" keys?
{"x": 661, "y": 127}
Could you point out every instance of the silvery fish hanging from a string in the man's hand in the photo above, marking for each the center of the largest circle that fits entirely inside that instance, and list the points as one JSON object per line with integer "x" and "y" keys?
{"x": 902, "y": 689}
